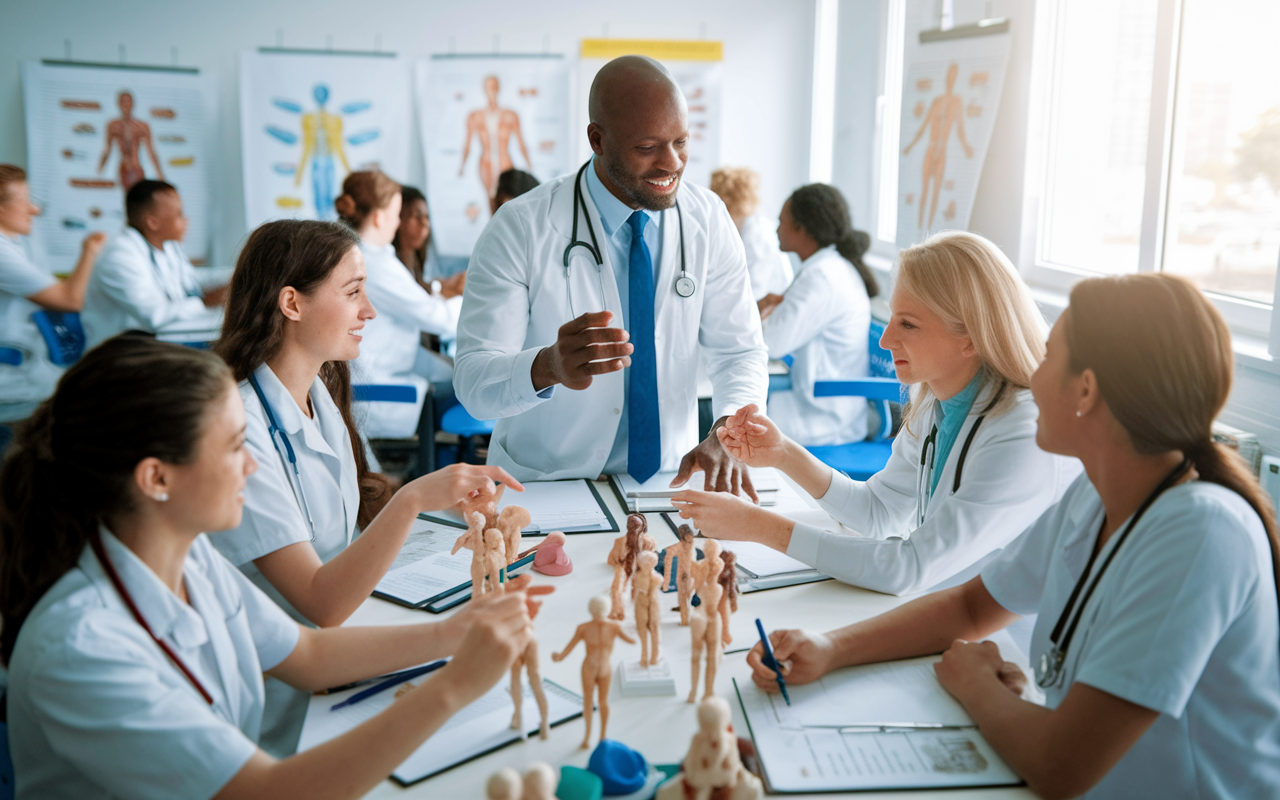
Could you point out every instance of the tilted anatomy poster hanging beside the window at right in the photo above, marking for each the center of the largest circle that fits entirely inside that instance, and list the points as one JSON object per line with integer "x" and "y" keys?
{"x": 950, "y": 97}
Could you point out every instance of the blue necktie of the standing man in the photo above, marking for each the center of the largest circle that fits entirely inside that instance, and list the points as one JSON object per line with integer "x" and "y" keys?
{"x": 644, "y": 432}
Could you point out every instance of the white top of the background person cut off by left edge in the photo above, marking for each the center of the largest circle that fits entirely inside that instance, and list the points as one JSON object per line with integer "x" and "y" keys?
{"x": 34, "y": 381}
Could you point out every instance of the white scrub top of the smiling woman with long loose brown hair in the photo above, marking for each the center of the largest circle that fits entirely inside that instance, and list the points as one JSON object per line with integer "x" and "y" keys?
{"x": 273, "y": 518}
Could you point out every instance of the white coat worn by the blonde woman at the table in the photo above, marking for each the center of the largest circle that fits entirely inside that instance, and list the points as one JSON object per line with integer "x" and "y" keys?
{"x": 1007, "y": 483}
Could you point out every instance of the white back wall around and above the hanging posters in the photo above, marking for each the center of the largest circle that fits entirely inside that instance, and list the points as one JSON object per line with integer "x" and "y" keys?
{"x": 769, "y": 60}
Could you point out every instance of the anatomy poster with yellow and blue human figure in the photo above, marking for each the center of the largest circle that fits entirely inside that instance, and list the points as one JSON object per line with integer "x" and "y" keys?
{"x": 309, "y": 120}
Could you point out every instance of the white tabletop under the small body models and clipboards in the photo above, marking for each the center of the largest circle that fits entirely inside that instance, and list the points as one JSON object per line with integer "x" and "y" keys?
{"x": 659, "y": 728}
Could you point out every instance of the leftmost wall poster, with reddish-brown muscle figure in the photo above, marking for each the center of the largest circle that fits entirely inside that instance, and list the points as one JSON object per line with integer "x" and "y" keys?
{"x": 93, "y": 132}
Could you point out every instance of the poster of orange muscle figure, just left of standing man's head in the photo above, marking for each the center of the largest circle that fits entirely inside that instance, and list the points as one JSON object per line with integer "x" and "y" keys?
{"x": 481, "y": 116}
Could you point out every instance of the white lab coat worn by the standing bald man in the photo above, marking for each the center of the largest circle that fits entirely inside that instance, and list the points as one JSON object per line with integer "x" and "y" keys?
{"x": 518, "y": 298}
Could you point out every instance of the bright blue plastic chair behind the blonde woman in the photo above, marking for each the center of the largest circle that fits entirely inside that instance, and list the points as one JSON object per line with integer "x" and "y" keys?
{"x": 861, "y": 460}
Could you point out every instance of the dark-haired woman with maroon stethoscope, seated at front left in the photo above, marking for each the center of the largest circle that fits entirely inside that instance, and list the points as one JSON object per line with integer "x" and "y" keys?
{"x": 136, "y": 652}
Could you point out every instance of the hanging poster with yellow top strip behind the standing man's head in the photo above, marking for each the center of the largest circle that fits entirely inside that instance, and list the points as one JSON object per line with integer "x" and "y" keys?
{"x": 696, "y": 65}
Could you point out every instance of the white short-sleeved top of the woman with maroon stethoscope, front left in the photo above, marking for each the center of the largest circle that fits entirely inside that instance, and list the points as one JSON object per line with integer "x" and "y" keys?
{"x": 98, "y": 711}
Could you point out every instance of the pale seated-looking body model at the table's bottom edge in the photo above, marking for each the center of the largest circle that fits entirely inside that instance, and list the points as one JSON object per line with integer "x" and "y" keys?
{"x": 712, "y": 769}
